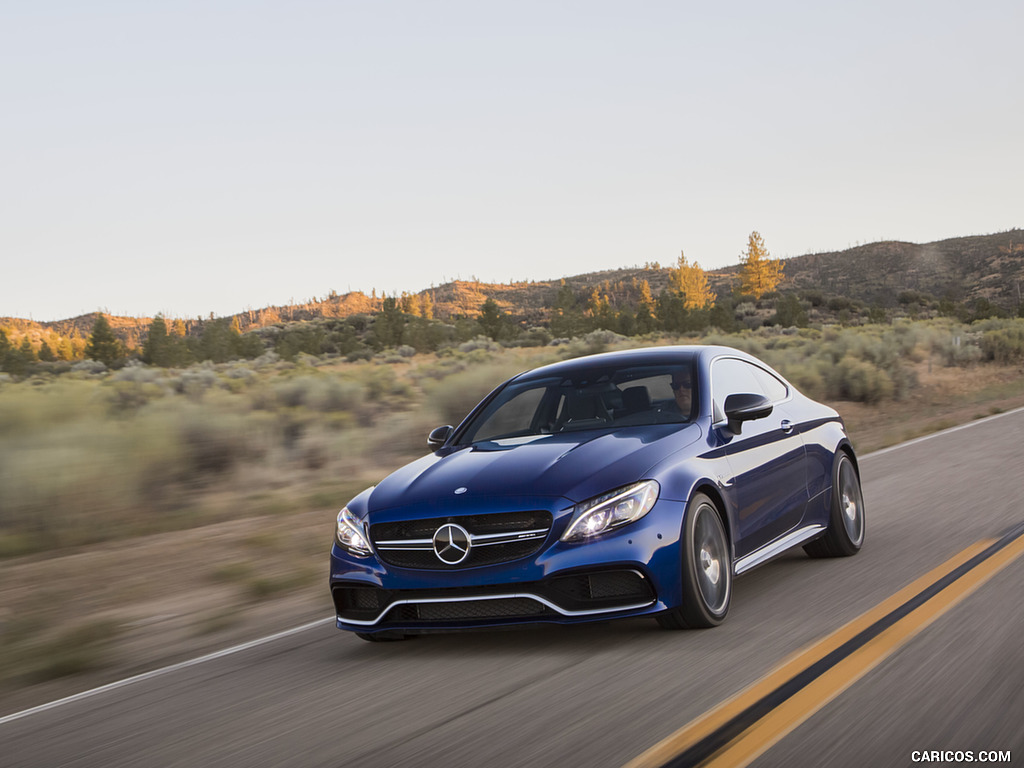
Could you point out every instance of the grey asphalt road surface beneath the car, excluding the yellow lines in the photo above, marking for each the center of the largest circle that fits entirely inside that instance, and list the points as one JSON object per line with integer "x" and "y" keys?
{"x": 602, "y": 695}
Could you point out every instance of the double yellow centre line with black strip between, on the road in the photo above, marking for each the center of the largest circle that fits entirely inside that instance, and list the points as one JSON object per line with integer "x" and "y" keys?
{"x": 746, "y": 727}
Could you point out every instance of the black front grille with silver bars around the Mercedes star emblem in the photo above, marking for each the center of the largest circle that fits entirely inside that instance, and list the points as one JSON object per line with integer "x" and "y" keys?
{"x": 496, "y": 538}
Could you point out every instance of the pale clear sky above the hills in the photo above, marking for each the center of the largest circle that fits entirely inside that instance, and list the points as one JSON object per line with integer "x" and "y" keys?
{"x": 190, "y": 158}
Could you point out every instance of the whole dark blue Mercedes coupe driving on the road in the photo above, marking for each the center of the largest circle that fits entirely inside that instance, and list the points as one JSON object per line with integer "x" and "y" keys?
{"x": 622, "y": 485}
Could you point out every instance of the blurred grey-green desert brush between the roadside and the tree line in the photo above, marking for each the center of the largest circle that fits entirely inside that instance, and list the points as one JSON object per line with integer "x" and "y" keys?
{"x": 91, "y": 453}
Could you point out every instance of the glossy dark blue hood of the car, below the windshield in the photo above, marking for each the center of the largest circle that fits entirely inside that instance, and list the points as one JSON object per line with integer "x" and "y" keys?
{"x": 575, "y": 466}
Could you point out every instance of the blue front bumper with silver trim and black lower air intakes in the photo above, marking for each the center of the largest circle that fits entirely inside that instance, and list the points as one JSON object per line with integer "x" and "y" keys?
{"x": 631, "y": 572}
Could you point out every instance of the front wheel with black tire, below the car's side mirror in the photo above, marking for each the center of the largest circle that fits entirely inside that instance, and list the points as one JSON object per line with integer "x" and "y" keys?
{"x": 707, "y": 567}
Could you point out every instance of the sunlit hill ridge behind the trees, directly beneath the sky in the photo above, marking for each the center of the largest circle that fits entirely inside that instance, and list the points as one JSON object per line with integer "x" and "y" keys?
{"x": 963, "y": 269}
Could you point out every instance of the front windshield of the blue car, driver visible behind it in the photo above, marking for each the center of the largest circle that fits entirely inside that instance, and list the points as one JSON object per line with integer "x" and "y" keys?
{"x": 602, "y": 399}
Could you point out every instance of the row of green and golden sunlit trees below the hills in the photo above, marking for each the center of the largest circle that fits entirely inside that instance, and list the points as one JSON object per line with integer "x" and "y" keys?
{"x": 407, "y": 324}
